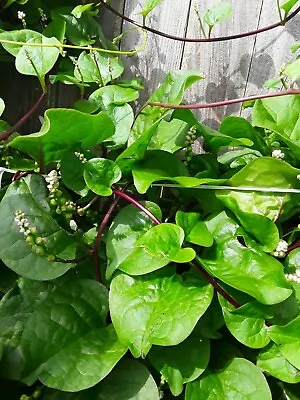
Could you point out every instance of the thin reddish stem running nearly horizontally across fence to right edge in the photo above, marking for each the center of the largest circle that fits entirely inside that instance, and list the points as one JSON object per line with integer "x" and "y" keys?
{"x": 225, "y": 102}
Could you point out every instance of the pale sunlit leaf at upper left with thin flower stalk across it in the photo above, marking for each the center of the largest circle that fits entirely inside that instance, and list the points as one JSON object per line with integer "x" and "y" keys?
{"x": 98, "y": 67}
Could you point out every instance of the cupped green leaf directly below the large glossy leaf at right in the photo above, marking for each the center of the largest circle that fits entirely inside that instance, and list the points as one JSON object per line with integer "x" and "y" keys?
{"x": 247, "y": 323}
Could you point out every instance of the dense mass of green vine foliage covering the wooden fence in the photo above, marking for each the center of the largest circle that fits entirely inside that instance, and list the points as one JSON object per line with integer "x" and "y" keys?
{"x": 134, "y": 265}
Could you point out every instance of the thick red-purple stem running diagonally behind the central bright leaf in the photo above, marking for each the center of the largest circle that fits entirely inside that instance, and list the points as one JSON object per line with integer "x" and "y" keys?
{"x": 209, "y": 279}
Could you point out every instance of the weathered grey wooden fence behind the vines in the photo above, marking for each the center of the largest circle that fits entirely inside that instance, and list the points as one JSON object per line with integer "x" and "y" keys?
{"x": 232, "y": 68}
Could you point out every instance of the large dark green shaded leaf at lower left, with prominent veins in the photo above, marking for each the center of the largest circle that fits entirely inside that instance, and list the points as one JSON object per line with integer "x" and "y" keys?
{"x": 66, "y": 343}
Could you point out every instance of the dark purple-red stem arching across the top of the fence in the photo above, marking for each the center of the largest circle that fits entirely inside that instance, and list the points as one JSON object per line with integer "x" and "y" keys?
{"x": 199, "y": 40}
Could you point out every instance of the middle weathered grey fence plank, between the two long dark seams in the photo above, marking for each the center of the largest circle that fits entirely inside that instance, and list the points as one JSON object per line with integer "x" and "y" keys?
{"x": 224, "y": 64}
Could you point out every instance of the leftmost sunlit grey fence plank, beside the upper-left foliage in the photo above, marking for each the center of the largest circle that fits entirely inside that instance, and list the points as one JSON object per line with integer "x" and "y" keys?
{"x": 161, "y": 55}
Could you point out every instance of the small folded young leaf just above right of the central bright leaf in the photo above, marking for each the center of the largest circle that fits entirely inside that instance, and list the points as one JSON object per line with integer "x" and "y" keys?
{"x": 194, "y": 228}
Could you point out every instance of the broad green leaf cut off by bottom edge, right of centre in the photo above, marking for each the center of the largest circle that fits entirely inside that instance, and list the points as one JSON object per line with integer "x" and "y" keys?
{"x": 239, "y": 379}
